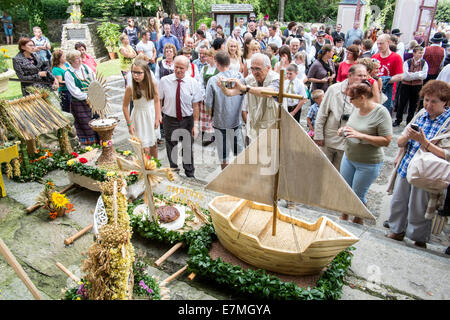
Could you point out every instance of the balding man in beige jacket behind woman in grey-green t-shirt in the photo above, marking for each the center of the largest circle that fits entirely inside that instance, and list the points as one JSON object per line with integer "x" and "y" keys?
{"x": 333, "y": 113}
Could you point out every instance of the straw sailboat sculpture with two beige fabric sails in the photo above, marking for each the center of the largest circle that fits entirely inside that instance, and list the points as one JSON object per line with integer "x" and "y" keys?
{"x": 243, "y": 218}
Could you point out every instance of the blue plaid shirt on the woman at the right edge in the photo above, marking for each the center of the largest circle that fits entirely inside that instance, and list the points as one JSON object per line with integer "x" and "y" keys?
{"x": 430, "y": 128}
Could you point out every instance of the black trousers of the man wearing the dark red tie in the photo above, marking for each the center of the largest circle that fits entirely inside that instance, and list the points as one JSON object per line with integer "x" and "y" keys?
{"x": 174, "y": 132}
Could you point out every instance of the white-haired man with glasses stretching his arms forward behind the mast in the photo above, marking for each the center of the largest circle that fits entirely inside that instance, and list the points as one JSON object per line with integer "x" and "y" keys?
{"x": 259, "y": 111}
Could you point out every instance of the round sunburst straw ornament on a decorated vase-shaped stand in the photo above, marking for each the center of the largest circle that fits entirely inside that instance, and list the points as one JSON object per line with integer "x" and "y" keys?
{"x": 99, "y": 101}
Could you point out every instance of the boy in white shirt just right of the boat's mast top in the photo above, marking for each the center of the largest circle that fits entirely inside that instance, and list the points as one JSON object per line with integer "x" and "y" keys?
{"x": 294, "y": 86}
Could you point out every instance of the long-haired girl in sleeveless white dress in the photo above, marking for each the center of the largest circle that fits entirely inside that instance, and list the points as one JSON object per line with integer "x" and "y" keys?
{"x": 146, "y": 115}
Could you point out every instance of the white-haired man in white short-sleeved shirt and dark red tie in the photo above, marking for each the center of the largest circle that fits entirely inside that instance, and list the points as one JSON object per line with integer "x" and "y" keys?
{"x": 180, "y": 96}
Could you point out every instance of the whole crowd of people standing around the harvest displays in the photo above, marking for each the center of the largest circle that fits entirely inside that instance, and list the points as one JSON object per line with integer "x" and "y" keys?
{"x": 183, "y": 83}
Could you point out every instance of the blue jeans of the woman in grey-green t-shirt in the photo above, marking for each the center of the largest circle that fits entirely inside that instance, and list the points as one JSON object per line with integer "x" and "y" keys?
{"x": 359, "y": 176}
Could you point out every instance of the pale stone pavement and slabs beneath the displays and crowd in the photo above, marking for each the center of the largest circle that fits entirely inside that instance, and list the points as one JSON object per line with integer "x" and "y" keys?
{"x": 381, "y": 268}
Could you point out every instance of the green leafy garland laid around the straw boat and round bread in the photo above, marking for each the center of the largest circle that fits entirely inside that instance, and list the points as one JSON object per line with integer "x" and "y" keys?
{"x": 255, "y": 283}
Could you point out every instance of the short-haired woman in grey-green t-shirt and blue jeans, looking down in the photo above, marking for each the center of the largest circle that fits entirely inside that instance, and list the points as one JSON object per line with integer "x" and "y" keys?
{"x": 369, "y": 128}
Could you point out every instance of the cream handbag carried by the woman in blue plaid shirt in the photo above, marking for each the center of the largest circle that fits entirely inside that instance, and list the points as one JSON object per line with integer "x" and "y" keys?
{"x": 427, "y": 171}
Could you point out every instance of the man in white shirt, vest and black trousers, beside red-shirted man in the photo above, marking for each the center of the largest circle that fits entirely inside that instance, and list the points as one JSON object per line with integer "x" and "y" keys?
{"x": 415, "y": 70}
